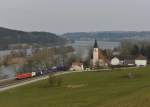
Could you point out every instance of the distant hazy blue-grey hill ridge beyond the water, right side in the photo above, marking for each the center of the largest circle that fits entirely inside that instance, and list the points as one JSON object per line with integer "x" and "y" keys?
{"x": 108, "y": 35}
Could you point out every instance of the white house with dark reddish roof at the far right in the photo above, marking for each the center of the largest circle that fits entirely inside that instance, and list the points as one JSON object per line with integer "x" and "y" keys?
{"x": 141, "y": 60}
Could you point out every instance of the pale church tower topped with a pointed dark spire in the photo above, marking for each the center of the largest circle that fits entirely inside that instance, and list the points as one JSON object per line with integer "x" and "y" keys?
{"x": 95, "y": 53}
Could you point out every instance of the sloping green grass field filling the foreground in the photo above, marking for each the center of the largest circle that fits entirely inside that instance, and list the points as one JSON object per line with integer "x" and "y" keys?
{"x": 86, "y": 89}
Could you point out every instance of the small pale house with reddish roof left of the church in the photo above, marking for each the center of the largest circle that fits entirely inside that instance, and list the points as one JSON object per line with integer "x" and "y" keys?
{"x": 77, "y": 66}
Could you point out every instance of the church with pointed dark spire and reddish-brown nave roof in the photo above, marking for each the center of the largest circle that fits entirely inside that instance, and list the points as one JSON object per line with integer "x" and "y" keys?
{"x": 98, "y": 59}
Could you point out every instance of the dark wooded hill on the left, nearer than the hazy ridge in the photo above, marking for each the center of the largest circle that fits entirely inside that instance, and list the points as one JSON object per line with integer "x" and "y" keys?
{"x": 9, "y": 36}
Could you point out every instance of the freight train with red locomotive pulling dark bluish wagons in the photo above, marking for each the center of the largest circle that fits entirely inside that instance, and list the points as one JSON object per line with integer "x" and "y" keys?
{"x": 41, "y": 71}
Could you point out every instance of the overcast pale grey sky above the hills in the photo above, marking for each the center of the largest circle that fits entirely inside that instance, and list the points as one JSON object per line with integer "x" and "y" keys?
{"x": 61, "y": 16}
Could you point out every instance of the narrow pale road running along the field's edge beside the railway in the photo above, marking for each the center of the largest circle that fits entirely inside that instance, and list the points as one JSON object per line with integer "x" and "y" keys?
{"x": 30, "y": 81}
